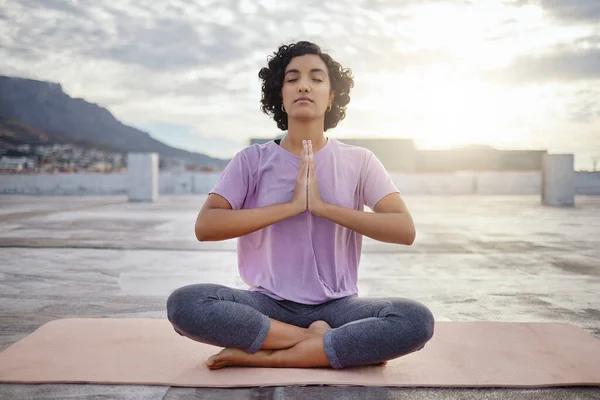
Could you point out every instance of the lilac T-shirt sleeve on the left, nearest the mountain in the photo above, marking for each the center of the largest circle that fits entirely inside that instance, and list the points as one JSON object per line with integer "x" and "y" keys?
{"x": 233, "y": 182}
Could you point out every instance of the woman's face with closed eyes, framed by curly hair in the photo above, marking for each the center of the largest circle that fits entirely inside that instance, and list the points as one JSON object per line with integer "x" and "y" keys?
{"x": 306, "y": 76}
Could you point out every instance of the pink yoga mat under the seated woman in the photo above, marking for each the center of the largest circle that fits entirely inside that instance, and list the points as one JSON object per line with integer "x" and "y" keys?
{"x": 149, "y": 352}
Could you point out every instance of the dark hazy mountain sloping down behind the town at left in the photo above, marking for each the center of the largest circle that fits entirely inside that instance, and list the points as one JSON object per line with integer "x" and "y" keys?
{"x": 43, "y": 112}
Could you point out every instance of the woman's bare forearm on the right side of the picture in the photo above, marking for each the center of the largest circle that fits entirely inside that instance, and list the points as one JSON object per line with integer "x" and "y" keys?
{"x": 392, "y": 227}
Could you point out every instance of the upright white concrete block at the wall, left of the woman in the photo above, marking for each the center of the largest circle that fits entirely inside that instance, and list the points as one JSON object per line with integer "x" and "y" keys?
{"x": 142, "y": 176}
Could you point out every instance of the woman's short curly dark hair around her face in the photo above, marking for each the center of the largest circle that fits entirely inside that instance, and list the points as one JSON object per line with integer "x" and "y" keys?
{"x": 272, "y": 76}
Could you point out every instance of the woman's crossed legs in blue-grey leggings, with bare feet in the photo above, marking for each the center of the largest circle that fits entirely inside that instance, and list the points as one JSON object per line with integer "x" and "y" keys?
{"x": 366, "y": 331}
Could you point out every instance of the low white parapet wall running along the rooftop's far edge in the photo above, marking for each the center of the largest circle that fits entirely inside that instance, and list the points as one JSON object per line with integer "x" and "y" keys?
{"x": 487, "y": 183}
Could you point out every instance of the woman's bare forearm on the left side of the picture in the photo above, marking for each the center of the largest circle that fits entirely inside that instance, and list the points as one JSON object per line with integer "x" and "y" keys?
{"x": 221, "y": 224}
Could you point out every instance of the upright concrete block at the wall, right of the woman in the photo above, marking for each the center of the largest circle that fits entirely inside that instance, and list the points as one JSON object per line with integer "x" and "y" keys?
{"x": 558, "y": 180}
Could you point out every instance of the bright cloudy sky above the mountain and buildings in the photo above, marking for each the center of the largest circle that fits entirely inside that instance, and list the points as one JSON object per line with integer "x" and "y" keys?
{"x": 513, "y": 74}
